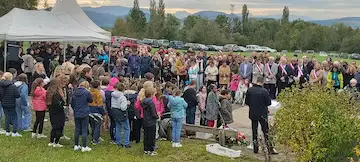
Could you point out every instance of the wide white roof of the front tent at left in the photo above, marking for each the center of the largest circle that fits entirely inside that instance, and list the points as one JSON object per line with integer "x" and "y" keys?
{"x": 32, "y": 25}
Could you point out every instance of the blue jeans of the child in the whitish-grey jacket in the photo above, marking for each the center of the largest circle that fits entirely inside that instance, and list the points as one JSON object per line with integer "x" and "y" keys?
{"x": 122, "y": 125}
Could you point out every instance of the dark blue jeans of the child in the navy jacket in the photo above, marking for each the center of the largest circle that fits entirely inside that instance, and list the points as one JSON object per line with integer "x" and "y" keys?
{"x": 81, "y": 127}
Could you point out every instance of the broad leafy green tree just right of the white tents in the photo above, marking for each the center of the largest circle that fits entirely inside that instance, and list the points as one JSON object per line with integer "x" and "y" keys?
{"x": 137, "y": 21}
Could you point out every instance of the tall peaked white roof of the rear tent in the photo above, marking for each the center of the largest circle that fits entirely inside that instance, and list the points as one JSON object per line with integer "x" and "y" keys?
{"x": 73, "y": 8}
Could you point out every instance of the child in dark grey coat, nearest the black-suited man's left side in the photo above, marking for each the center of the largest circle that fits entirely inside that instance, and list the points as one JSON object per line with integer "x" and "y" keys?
{"x": 226, "y": 108}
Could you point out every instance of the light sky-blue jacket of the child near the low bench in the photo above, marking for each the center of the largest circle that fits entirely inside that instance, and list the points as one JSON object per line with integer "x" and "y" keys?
{"x": 177, "y": 105}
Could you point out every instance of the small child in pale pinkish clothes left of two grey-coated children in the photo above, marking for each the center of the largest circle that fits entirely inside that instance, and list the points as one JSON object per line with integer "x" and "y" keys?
{"x": 202, "y": 105}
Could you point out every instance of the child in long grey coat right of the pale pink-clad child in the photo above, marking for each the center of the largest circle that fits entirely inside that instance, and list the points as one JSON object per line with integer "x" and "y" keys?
{"x": 212, "y": 106}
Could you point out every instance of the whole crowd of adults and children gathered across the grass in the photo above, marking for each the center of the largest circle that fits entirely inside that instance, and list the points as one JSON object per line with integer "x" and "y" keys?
{"x": 125, "y": 92}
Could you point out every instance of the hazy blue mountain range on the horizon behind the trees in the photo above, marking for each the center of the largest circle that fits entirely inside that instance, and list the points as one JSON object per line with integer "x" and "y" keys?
{"x": 105, "y": 16}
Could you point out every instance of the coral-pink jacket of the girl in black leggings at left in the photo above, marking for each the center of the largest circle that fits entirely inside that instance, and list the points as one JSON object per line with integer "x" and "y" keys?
{"x": 39, "y": 99}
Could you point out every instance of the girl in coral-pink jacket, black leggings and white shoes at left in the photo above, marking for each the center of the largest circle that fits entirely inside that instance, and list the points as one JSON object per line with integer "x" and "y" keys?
{"x": 38, "y": 94}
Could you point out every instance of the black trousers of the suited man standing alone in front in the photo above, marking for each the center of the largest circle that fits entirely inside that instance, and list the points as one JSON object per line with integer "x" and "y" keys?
{"x": 264, "y": 128}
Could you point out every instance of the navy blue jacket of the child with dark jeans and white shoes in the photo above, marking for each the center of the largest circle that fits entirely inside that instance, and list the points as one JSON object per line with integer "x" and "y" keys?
{"x": 80, "y": 102}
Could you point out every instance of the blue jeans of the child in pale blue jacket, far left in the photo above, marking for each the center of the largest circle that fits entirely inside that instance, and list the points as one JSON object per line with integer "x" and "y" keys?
{"x": 24, "y": 117}
